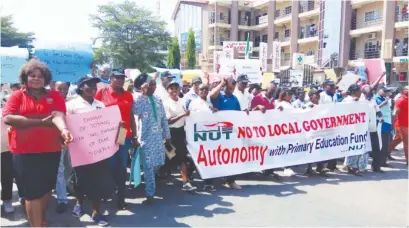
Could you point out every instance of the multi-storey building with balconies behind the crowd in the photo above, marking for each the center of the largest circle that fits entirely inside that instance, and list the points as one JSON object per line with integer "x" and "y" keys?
{"x": 324, "y": 30}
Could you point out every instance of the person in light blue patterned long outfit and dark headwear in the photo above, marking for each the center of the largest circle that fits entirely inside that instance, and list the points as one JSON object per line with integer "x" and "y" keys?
{"x": 152, "y": 130}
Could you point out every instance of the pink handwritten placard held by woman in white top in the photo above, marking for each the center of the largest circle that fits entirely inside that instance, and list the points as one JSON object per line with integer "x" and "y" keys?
{"x": 94, "y": 135}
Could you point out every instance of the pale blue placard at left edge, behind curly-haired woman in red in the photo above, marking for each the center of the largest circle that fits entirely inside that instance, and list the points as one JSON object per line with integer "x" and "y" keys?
{"x": 12, "y": 59}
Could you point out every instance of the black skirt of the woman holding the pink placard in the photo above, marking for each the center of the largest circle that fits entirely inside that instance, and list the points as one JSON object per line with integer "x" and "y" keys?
{"x": 96, "y": 180}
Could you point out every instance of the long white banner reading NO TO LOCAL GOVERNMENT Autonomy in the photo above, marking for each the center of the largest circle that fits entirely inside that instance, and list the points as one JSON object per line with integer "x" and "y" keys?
{"x": 231, "y": 142}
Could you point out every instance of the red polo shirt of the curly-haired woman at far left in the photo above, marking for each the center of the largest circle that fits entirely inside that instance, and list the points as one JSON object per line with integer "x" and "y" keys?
{"x": 37, "y": 139}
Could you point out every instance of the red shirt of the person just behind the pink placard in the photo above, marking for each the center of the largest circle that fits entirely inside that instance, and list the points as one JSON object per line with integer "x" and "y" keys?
{"x": 124, "y": 101}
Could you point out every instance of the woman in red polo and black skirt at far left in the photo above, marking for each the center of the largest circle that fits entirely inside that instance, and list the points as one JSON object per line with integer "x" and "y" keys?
{"x": 36, "y": 117}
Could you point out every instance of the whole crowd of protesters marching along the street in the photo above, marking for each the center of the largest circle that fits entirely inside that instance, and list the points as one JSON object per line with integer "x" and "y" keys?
{"x": 35, "y": 136}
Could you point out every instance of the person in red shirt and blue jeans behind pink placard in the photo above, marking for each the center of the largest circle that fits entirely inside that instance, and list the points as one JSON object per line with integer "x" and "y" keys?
{"x": 115, "y": 94}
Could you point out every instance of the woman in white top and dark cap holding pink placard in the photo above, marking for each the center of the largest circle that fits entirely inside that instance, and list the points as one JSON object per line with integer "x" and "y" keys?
{"x": 94, "y": 180}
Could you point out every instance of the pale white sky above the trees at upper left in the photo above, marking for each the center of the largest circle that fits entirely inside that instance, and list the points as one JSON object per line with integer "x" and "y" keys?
{"x": 67, "y": 20}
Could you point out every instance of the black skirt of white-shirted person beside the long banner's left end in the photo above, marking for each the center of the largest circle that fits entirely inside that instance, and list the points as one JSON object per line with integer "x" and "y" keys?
{"x": 178, "y": 138}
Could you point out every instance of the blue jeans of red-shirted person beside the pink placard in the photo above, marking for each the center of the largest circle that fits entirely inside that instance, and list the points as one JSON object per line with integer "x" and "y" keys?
{"x": 119, "y": 163}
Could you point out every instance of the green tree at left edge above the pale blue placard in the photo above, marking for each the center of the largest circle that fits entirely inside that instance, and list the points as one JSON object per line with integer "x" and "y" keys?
{"x": 10, "y": 36}
